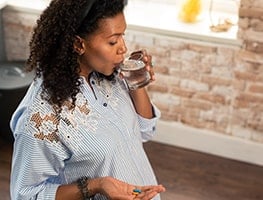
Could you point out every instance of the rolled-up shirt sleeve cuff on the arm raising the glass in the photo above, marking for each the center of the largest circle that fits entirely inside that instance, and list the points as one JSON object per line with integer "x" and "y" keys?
{"x": 148, "y": 126}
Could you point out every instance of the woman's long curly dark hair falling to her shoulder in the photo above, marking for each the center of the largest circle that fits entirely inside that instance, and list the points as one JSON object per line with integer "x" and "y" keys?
{"x": 51, "y": 47}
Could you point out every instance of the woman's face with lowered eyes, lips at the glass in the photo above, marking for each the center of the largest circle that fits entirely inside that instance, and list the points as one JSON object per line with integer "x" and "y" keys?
{"x": 104, "y": 50}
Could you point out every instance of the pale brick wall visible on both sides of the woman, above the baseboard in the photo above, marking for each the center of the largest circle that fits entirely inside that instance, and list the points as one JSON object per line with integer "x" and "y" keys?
{"x": 200, "y": 84}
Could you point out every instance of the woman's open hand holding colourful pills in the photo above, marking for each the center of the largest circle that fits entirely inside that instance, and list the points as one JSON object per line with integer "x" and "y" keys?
{"x": 115, "y": 189}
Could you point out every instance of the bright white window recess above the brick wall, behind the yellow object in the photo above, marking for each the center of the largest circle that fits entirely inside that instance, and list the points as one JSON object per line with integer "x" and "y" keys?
{"x": 162, "y": 16}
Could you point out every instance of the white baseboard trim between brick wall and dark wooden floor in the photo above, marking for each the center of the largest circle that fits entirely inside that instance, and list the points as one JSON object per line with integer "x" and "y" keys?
{"x": 209, "y": 142}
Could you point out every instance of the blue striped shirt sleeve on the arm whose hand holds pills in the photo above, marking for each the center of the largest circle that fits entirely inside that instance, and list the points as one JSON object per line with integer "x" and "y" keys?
{"x": 35, "y": 168}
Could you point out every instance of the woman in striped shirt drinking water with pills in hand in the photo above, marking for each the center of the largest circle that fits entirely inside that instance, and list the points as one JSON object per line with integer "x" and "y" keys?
{"x": 79, "y": 130}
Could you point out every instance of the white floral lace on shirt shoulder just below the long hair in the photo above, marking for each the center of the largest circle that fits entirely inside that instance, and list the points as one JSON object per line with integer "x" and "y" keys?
{"x": 46, "y": 125}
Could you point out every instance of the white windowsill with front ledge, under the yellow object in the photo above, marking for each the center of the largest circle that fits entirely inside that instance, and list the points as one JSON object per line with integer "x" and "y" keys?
{"x": 163, "y": 19}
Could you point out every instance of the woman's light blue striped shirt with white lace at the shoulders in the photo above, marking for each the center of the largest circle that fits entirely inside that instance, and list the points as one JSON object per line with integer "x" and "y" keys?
{"x": 101, "y": 136}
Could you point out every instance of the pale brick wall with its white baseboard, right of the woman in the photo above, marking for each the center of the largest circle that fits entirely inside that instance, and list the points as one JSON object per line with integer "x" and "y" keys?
{"x": 210, "y": 93}
